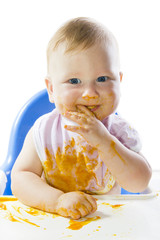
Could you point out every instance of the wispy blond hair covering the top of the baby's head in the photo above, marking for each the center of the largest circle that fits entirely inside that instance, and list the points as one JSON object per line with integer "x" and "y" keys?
{"x": 78, "y": 35}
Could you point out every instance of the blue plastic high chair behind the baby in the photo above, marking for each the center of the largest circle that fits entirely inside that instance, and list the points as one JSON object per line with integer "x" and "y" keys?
{"x": 37, "y": 106}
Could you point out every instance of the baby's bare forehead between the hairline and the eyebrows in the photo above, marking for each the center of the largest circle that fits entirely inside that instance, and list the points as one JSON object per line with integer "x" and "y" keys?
{"x": 105, "y": 59}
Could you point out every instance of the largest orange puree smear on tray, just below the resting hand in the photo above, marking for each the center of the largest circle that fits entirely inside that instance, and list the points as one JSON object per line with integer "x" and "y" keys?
{"x": 76, "y": 225}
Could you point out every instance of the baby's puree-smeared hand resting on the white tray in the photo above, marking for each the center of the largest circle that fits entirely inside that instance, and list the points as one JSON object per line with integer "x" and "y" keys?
{"x": 75, "y": 205}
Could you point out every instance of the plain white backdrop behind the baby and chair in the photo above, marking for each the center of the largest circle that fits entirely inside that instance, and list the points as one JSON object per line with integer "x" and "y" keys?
{"x": 27, "y": 26}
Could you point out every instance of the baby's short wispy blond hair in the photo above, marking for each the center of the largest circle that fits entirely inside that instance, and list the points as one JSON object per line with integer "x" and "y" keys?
{"x": 79, "y": 34}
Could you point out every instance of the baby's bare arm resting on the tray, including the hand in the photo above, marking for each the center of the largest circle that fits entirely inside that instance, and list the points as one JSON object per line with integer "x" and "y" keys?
{"x": 28, "y": 186}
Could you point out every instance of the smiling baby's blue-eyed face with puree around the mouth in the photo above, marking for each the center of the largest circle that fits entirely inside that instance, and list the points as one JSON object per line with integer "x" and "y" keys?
{"x": 90, "y": 78}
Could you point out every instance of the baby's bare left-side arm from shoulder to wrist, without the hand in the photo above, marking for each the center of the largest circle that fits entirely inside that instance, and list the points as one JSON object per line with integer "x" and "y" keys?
{"x": 26, "y": 182}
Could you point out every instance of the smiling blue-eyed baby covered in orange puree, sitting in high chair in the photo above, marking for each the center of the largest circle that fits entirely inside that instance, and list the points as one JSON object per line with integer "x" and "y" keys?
{"x": 82, "y": 147}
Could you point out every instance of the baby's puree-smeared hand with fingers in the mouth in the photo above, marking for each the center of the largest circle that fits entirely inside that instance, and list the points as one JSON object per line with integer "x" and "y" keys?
{"x": 88, "y": 127}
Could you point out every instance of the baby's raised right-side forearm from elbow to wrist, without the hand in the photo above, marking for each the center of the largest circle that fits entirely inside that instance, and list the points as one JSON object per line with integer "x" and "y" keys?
{"x": 130, "y": 169}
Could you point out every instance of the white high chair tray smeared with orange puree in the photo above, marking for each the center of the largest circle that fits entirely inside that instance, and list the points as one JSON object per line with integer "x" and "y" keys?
{"x": 127, "y": 217}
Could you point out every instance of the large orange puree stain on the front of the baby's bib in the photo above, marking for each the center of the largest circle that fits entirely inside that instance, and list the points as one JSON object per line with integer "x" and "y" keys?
{"x": 71, "y": 170}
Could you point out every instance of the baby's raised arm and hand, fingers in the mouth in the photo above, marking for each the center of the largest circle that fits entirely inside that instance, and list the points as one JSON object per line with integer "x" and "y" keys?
{"x": 130, "y": 169}
